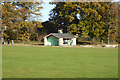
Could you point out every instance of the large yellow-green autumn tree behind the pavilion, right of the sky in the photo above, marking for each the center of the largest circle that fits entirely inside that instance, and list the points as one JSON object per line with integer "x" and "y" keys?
{"x": 83, "y": 18}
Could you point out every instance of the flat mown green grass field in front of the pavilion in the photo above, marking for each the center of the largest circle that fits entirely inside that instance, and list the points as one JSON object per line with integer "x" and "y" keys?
{"x": 59, "y": 62}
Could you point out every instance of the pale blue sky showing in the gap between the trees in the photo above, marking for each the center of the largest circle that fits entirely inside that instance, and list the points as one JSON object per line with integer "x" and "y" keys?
{"x": 47, "y": 8}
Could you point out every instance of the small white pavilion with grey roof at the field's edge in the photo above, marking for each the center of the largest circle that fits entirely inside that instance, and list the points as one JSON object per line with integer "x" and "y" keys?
{"x": 59, "y": 39}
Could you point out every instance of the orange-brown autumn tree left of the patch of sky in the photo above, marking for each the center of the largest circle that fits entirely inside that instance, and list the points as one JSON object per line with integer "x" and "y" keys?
{"x": 17, "y": 17}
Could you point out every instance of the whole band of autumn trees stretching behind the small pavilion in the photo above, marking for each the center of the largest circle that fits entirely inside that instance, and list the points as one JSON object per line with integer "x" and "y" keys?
{"x": 94, "y": 20}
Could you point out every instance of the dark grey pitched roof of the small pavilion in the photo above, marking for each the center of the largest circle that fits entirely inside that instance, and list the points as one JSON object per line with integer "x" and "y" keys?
{"x": 61, "y": 35}
